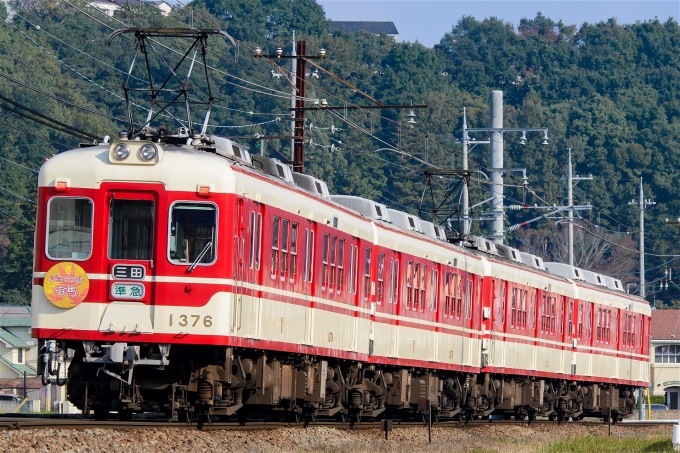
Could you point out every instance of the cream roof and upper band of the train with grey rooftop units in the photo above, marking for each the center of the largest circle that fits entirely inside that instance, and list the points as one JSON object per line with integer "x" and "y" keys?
{"x": 185, "y": 165}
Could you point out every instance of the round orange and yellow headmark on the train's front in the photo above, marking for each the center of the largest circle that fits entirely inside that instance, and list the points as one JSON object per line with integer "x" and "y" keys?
{"x": 66, "y": 285}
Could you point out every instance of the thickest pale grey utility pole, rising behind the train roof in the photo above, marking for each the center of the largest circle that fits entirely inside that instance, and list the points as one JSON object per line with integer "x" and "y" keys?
{"x": 496, "y": 122}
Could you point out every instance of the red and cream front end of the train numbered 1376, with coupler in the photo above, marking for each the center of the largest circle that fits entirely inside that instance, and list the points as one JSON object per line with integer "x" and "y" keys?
{"x": 125, "y": 232}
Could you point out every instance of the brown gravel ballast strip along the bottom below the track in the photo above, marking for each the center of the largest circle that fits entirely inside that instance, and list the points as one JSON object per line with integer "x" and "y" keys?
{"x": 501, "y": 438}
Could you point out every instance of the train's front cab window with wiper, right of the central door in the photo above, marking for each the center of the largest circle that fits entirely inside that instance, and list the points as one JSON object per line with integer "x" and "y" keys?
{"x": 193, "y": 231}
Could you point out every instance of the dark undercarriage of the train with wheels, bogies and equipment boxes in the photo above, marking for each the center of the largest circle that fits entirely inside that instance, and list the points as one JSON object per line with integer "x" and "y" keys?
{"x": 184, "y": 381}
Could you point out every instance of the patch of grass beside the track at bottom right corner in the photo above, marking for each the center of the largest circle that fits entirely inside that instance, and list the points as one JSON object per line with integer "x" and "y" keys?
{"x": 609, "y": 445}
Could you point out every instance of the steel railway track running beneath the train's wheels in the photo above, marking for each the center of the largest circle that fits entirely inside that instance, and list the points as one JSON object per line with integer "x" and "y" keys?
{"x": 80, "y": 423}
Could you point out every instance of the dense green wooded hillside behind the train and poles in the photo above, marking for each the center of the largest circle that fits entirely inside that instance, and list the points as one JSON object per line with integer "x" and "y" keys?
{"x": 608, "y": 91}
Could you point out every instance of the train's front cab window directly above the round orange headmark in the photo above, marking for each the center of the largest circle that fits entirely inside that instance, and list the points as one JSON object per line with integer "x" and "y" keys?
{"x": 69, "y": 234}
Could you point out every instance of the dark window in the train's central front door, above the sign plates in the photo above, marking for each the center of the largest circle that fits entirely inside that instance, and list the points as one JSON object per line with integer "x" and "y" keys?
{"x": 131, "y": 229}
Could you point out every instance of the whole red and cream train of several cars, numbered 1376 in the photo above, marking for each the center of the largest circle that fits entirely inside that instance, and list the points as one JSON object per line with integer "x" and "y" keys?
{"x": 195, "y": 278}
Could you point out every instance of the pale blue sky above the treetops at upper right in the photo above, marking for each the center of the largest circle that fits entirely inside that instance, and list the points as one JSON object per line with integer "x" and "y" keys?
{"x": 426, "y": 21}
